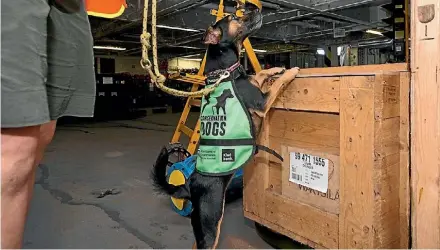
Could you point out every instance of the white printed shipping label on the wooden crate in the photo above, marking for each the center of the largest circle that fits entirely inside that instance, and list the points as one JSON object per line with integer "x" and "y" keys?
{"x": 309, "y": 170}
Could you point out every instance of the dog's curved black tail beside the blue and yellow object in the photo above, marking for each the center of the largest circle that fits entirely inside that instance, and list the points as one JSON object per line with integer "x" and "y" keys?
{"x": 158, "y": 175}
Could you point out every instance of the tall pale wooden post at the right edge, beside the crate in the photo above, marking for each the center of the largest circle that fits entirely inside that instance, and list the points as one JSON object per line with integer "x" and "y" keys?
{"x": 425, "y": 123}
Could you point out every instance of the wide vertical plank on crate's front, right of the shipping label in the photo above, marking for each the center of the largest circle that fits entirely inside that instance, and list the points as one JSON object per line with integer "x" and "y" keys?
{"x": 356, "y": 157}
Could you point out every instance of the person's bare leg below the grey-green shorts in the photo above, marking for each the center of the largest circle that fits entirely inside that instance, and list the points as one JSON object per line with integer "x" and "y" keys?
{"x": 19, "y": 147}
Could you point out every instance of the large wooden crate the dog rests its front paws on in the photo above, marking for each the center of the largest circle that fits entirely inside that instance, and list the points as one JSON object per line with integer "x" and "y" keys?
{"x": 357, "y": 118}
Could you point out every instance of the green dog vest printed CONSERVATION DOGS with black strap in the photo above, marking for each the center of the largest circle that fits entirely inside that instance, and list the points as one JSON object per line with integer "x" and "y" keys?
{"x": 227, "y": 139}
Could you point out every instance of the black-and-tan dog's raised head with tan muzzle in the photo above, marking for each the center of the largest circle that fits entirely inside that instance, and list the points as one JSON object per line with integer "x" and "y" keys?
{"x": 231, "y": 31}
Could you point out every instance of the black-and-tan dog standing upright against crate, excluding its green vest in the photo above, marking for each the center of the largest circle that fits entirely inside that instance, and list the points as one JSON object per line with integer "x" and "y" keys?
{"x": 207, "y": 193}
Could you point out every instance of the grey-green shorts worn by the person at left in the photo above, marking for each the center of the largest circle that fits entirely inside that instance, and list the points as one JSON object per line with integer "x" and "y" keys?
{"x": 47, "y": 64}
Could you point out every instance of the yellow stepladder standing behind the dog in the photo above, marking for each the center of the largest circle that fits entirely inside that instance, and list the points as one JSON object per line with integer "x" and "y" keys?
{"x": 199, "y": 80}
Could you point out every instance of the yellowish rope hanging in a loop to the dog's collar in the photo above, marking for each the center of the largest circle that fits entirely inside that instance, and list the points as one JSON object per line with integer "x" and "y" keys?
{"x": 156, "y": 77}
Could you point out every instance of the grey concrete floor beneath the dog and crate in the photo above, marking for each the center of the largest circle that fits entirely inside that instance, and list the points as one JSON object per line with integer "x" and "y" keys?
{"x": 86, "y": 158}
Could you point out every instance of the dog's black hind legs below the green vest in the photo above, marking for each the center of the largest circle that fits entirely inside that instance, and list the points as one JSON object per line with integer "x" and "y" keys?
{"x": 208, "y": 202}
